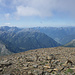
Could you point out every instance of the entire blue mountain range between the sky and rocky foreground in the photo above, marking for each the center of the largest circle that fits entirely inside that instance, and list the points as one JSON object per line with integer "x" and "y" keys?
{"x": 15, "y": 40}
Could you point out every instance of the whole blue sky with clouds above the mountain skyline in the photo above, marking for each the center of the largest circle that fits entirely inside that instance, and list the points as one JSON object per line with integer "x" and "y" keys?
{"x": 37, "y": 13}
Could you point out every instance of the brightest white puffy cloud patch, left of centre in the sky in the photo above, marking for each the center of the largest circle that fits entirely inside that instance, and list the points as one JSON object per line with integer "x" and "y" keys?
{"x": 26, "y": 11}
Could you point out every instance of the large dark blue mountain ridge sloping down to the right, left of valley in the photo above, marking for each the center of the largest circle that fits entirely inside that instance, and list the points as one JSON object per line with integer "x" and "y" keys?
{"x": 19, "y": 40}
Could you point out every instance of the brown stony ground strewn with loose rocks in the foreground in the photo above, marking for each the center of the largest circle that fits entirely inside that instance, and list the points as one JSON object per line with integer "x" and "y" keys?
{"x": 46, "y": 61}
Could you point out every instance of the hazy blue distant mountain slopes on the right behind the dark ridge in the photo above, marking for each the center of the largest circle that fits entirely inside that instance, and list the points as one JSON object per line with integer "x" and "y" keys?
{"x": 62, "y": 35}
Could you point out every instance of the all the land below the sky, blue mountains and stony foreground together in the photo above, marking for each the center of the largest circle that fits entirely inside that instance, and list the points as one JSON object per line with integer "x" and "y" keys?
{"x": 45, "y": 61}
